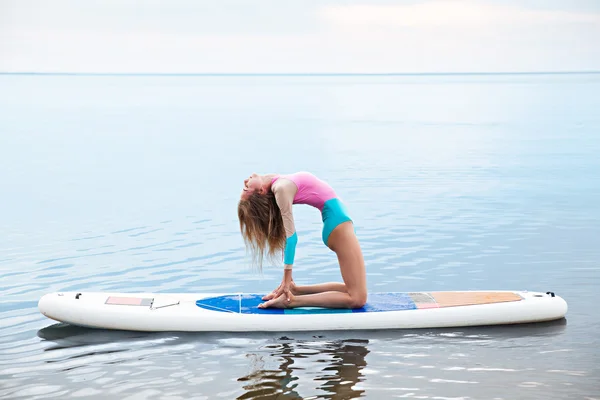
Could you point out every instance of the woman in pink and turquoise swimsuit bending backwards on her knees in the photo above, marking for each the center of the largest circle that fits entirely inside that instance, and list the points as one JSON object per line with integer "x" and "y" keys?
{"x": 267, "y": 225}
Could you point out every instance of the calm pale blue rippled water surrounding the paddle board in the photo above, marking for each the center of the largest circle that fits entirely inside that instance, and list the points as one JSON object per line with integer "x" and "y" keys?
{"x": 461, "y": 182}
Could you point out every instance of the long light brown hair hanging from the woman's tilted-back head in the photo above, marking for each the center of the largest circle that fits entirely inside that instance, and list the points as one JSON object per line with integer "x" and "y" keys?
{"x": 262, "y": 227}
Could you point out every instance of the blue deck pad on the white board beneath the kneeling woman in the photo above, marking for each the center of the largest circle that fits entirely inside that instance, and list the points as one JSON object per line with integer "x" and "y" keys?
{"x": 248, "y": 304}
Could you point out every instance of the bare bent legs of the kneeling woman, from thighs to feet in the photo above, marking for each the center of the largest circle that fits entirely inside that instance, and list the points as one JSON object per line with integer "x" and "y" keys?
{"x": 345, "y": 244}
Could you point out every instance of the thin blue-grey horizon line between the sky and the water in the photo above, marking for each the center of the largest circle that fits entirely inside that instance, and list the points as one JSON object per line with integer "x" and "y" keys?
{"x": 580, "y": 72}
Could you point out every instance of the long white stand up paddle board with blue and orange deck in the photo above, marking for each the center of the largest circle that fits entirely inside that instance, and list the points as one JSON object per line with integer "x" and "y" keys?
{"x": 231, "y": 312}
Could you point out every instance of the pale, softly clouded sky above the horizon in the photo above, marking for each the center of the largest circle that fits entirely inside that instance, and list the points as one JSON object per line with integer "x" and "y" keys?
{"x": 300, "y": 36}
